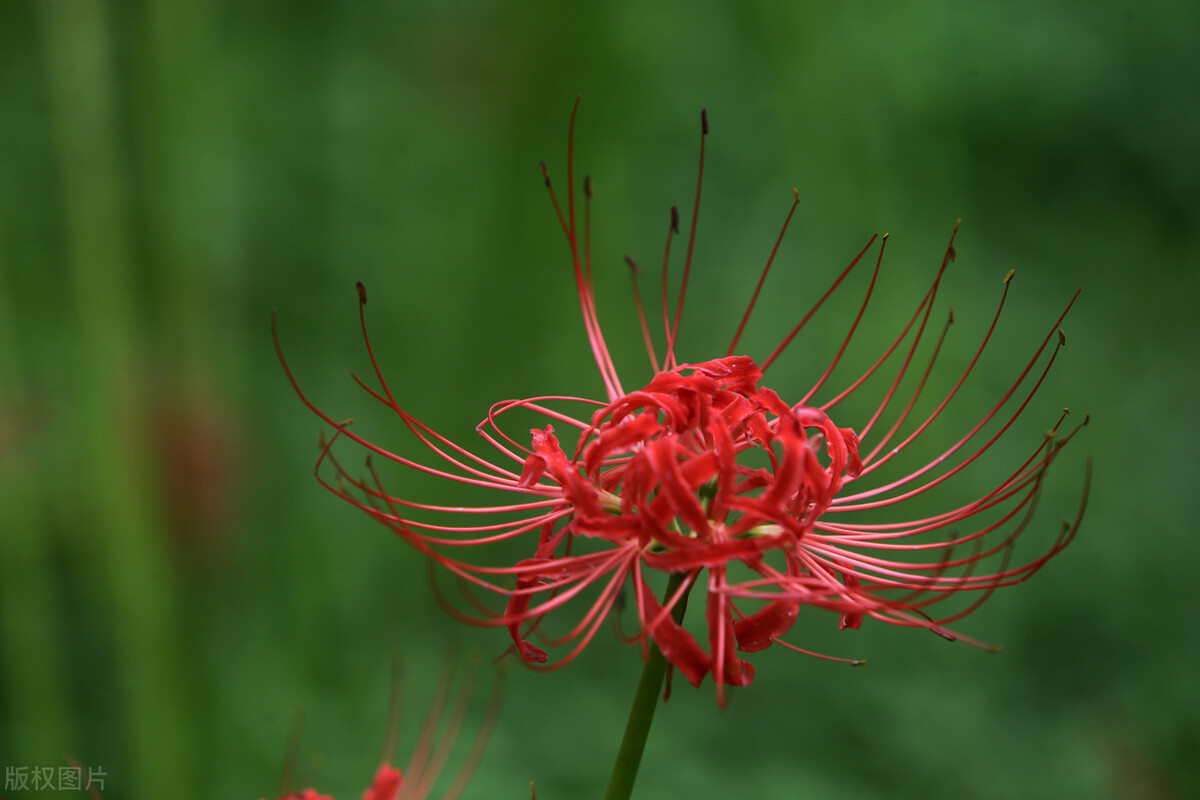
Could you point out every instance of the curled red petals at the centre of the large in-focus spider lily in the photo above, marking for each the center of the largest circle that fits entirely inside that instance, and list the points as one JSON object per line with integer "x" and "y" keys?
{"x": 662, "y": 484}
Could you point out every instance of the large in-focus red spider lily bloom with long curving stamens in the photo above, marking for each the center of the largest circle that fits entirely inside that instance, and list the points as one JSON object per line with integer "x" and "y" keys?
{"x": 716, "y": 480}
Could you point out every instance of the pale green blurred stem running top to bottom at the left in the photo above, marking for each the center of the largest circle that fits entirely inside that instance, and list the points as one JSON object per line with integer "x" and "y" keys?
{"x": 112, "y": 484}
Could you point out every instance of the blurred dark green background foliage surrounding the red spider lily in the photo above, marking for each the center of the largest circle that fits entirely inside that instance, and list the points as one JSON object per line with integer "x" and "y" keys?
{"x": 175, "y": 587}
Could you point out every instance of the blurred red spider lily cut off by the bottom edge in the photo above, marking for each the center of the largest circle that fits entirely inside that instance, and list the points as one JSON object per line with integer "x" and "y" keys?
{"x": 433, "y": 753}
